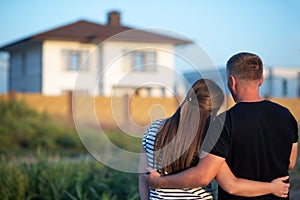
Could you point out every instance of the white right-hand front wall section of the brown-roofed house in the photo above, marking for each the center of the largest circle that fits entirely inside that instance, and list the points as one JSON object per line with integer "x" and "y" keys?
{"x": 116, "y": 76}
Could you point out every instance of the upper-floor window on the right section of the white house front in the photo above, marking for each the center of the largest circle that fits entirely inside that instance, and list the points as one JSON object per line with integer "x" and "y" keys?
{"x": 141, "y": 61}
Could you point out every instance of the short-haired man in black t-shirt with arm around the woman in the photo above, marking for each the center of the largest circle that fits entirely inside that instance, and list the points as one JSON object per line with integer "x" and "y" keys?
{"x": 258, "y": 140}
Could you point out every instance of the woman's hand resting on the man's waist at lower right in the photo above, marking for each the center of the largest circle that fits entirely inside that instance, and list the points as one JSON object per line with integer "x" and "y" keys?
{"x": 280, "y": 188}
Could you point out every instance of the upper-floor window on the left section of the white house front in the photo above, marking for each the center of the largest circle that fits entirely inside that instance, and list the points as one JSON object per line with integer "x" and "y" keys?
{"x": 75, "y": 60}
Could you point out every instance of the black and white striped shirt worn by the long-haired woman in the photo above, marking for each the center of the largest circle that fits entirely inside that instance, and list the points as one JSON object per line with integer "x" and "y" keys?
{"x": 190, "y": 193}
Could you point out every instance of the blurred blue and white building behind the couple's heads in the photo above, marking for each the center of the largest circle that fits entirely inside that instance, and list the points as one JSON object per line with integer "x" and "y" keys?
{"x": 279, "y": 82}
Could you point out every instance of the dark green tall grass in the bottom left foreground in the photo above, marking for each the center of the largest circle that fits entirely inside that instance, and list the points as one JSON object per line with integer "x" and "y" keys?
{"x": 50, "y": 177}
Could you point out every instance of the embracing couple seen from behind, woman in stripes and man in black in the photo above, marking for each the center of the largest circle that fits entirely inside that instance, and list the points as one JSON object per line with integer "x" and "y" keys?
{"x": 248, "y": 149}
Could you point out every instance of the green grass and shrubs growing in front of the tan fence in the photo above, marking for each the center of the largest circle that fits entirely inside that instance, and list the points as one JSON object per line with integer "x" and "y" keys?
{"x": 42, "y": 159}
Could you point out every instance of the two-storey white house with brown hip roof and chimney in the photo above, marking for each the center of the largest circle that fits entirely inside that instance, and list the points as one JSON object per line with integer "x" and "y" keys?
{"x": 94, "y": 59}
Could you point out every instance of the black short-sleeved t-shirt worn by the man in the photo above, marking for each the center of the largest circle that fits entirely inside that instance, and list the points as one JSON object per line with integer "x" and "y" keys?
{"x": 256, "y": 140}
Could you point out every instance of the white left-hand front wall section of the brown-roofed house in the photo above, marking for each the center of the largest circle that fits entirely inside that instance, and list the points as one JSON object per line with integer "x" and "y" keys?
{"x": 56, "y": 78}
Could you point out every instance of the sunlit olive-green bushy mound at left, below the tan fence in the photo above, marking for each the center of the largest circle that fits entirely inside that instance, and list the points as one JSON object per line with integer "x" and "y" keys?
{"x": 22, "y": 128}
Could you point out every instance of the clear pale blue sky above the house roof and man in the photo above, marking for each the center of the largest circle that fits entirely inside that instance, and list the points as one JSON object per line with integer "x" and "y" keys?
{"x": 269, "y": 28}
